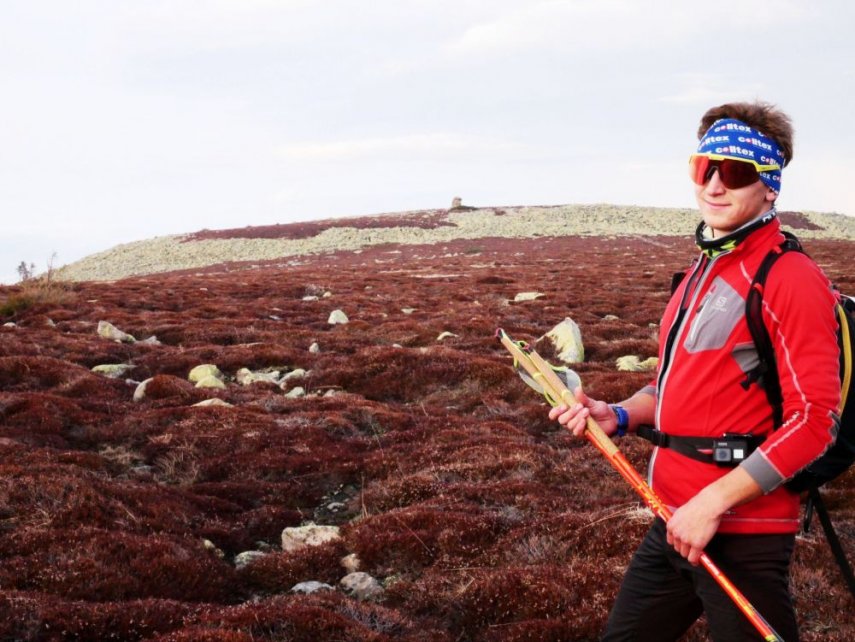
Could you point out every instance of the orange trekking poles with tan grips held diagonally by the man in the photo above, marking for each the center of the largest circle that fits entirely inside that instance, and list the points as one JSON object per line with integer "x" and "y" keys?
{"x": 556, "y": 392}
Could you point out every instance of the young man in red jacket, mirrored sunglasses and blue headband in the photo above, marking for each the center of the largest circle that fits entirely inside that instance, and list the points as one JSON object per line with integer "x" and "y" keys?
{"x": 741, "y": 515}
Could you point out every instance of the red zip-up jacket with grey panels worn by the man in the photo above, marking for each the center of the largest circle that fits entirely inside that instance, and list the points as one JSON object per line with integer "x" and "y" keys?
{"x": 699, "y": 391}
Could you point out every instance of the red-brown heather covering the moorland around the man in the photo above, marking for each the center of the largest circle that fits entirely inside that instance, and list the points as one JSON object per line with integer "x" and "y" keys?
{"x": 484, "y": 521}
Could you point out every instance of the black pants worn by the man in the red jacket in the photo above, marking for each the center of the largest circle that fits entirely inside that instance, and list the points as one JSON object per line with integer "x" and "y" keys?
{"x": 662, "y": 594}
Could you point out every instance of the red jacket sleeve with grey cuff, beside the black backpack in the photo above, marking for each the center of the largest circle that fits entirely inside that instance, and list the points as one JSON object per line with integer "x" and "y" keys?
{"x": 798, "y": 310}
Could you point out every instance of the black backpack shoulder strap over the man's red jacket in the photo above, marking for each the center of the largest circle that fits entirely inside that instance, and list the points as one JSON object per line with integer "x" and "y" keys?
{"x": 766, "y": 371}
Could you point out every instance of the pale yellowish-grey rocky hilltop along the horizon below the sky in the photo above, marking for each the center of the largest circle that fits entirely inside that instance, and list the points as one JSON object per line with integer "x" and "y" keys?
{"x": 283, "y": 244}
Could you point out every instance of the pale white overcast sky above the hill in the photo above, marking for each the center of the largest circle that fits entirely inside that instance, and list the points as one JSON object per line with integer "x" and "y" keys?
{"x": 126, "y": 119}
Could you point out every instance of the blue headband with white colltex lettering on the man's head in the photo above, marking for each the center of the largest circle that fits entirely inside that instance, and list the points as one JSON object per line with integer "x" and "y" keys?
{"x": 731, "y": 137}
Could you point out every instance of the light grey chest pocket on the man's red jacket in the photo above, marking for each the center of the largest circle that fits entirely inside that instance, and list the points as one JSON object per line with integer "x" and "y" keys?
{"x": 718, "y": 313}
